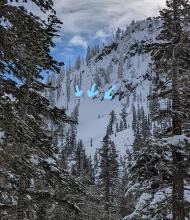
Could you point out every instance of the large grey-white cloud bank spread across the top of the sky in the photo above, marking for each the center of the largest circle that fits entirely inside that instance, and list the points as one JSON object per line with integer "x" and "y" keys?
{"x": 89, "y": 16}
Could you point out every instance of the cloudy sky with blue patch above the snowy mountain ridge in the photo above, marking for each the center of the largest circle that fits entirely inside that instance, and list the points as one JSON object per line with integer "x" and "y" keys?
{"x": 91, "y": 21}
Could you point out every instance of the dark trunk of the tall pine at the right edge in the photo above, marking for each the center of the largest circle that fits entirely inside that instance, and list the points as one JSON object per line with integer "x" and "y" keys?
{"x": 178, "y": 176}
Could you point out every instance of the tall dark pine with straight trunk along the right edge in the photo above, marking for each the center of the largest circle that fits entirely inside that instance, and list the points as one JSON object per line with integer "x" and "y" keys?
{"x": 171, "y": 59}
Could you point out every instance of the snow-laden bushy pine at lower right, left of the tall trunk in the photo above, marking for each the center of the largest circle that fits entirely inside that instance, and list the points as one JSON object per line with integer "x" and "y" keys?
{"x": 148, "y": 180}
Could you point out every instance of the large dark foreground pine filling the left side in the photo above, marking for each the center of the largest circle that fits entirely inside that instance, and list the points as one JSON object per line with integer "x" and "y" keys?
{"x": 29, "y": 170}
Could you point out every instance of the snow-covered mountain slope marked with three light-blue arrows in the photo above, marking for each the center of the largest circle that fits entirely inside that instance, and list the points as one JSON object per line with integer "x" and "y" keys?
{"x": 126, "y": 67}
